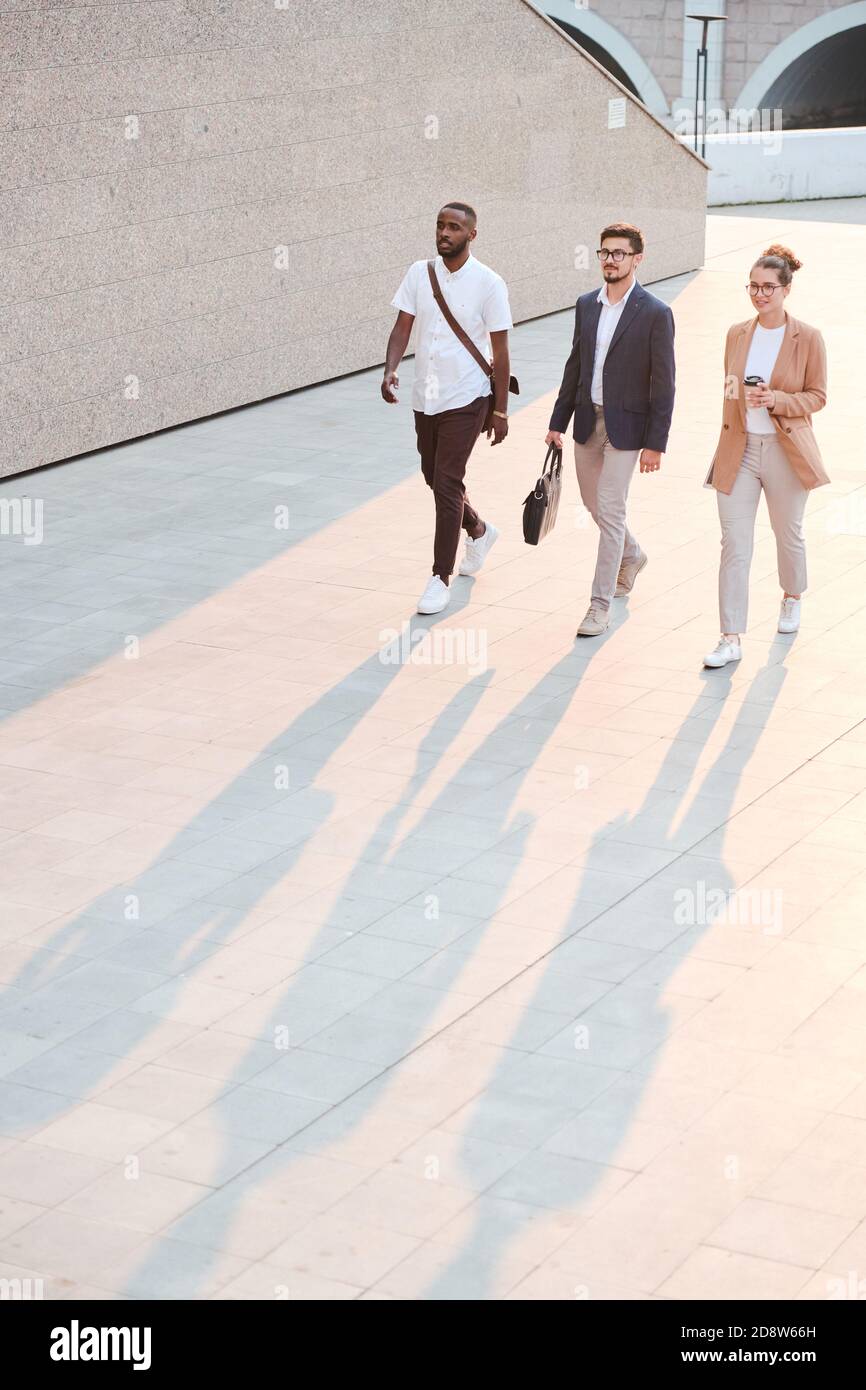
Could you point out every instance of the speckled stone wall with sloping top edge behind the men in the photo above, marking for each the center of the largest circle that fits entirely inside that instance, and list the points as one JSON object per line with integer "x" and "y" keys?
{"x": 211, "y": 202}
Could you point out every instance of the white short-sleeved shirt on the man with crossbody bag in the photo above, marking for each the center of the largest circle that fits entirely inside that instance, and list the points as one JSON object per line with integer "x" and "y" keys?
{"x": 447, "y": 375}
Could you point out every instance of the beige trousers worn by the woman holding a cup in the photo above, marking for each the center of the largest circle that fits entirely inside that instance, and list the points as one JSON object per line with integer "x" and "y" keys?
{"x": 764, "y": 468}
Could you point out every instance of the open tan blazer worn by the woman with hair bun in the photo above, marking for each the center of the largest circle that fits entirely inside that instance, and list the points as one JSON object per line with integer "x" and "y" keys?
{"x": 800, "y": 382}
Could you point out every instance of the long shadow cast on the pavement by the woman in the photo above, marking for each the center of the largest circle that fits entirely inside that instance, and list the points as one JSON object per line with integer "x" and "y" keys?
{"x": 575, "y": 1099}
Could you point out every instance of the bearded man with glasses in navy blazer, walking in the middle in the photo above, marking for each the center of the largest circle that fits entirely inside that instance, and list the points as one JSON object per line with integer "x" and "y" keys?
{"x": 619, "y": 386}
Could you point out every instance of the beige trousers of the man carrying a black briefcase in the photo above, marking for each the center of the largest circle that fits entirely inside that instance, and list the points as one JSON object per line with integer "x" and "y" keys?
{"x": 604, "y": 475}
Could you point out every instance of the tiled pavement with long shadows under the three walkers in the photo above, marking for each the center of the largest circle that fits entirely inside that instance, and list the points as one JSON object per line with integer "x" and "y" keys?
{"x": 337, "y": 970}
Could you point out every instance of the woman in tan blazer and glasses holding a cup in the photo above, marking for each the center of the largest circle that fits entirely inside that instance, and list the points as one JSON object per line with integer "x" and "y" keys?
{"x": 767, "y": 444}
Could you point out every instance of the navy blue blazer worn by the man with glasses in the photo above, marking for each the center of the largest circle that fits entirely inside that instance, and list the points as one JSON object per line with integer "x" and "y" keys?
{"x": 639, "y": 377}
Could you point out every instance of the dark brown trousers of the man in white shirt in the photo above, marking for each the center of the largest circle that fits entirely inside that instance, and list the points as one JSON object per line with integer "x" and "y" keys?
{"x": 446, "y": 443}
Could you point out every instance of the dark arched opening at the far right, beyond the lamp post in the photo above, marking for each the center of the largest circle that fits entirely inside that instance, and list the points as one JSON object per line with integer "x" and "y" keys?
{"x": 824, "y": 87}
